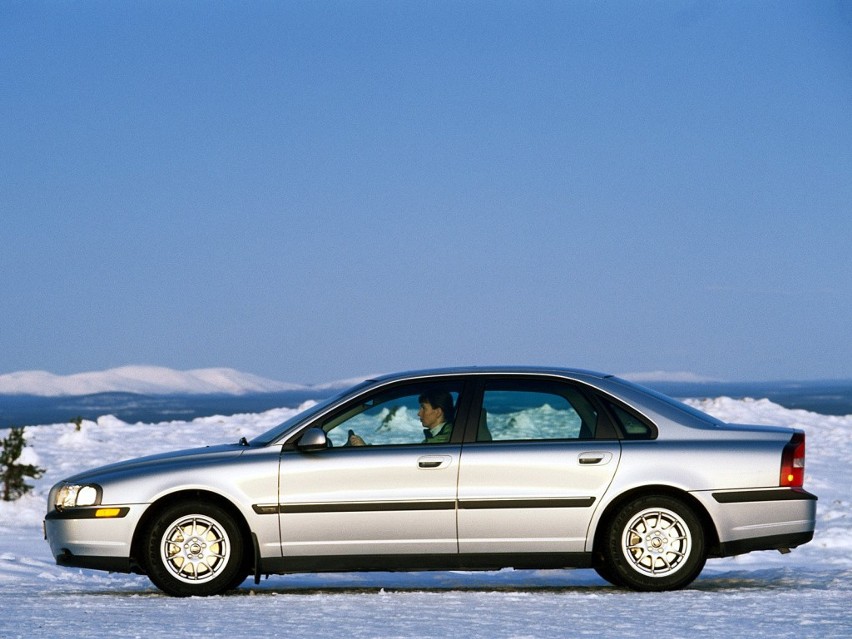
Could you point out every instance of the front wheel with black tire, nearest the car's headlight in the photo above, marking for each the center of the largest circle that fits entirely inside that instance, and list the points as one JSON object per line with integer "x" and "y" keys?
{"x": 195, "y": 549}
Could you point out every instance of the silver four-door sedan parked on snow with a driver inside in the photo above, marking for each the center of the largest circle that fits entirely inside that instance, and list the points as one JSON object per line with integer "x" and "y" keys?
{"x": 449, "y": 469}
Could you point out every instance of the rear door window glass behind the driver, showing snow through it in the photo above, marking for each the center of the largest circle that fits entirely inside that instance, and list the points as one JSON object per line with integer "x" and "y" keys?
{"x": 535, "y": 411}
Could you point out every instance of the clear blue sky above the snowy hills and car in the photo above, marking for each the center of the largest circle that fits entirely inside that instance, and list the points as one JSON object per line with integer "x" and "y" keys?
{"x": 312, "y": 191}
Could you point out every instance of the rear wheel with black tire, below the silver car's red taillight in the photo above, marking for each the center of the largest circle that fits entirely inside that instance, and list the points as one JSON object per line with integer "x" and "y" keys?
{"x": 654, "y": 543}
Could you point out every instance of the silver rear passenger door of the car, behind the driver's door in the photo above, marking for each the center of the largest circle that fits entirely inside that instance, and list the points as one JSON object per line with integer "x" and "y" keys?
{"x": 534, "y": 470}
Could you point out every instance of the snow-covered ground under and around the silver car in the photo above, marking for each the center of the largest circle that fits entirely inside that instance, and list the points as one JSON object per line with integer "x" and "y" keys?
{"x": 807, "y": 593}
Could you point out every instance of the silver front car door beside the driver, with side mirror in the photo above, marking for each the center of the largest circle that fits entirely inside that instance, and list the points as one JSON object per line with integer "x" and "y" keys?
{"x": 394, "y": 495}
